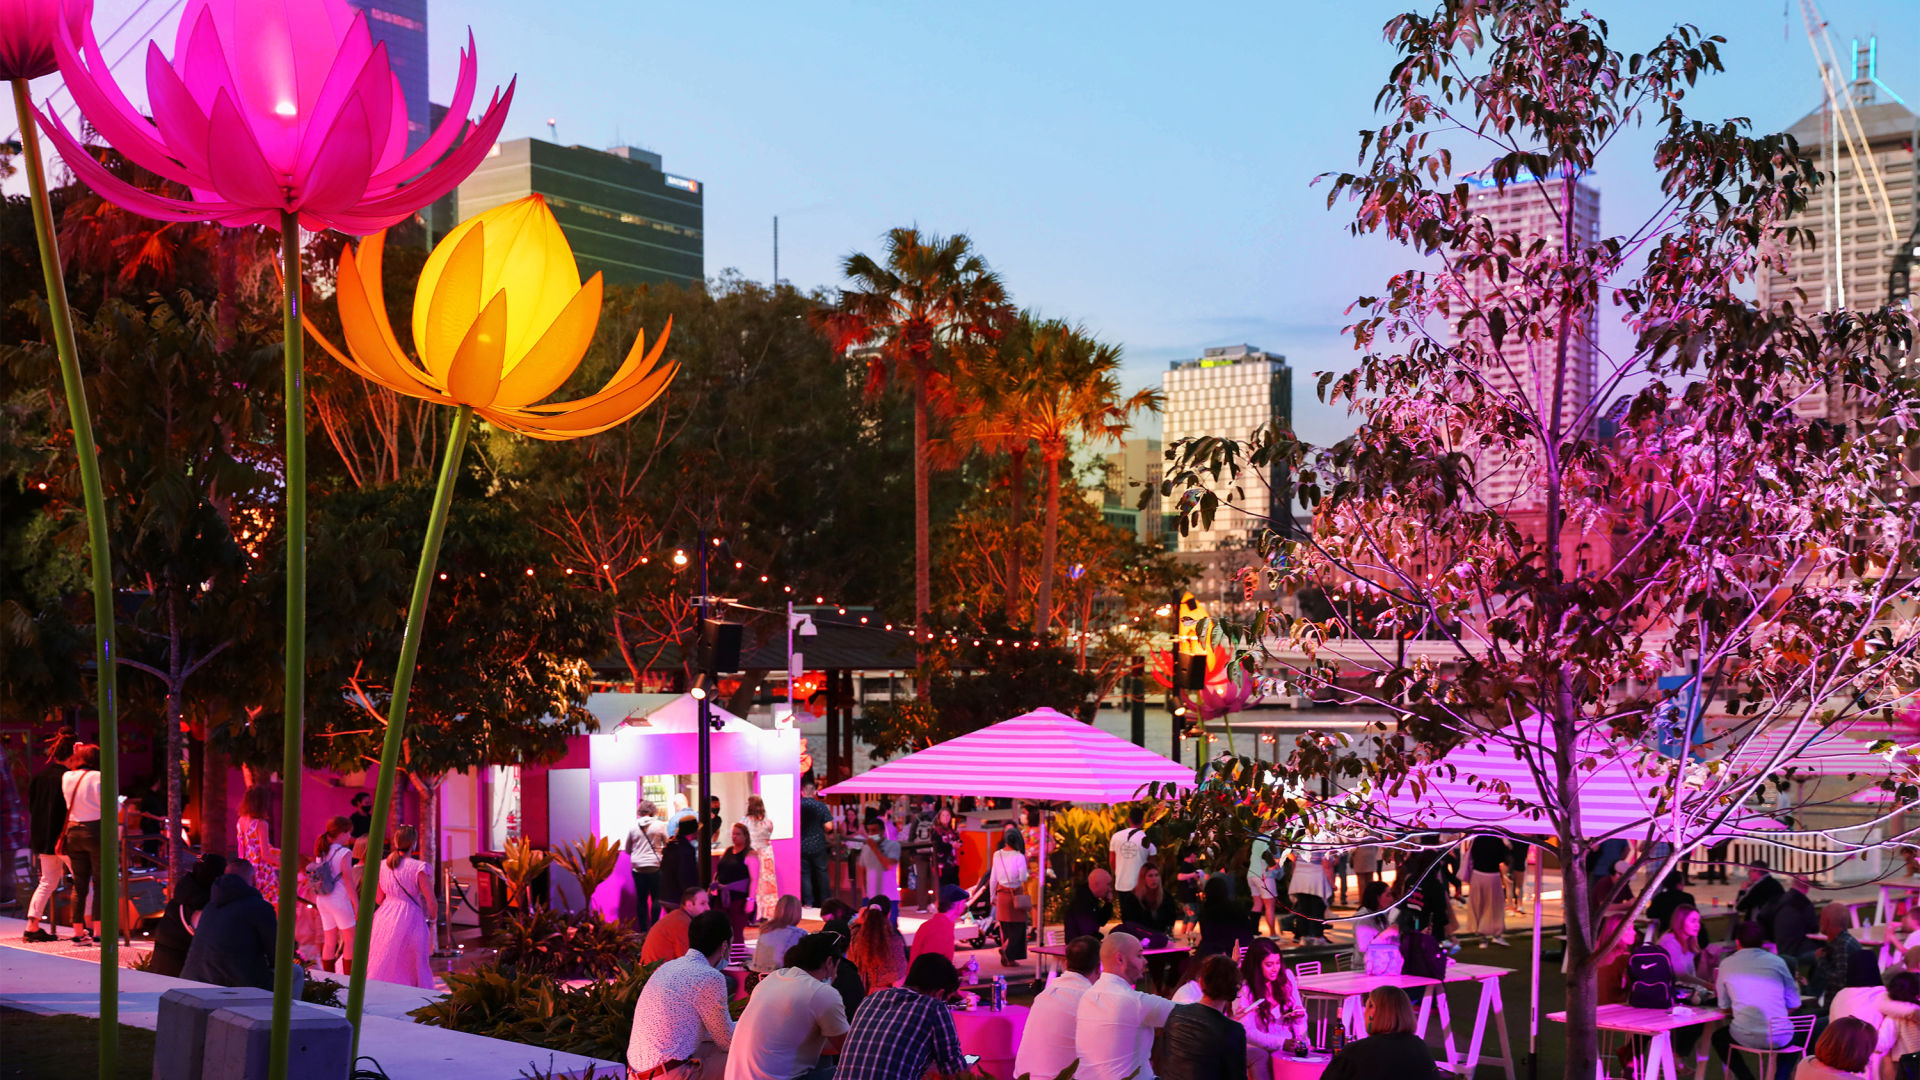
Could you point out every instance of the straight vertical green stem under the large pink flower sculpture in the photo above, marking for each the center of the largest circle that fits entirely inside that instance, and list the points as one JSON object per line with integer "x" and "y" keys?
{"x": 297, "y": 639}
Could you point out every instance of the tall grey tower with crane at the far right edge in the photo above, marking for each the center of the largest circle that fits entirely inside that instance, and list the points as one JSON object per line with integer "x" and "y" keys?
{"x": 1863, "y": 216}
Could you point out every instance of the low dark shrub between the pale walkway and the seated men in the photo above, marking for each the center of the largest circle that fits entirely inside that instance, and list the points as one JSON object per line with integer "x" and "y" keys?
{"x": 537, "y": 1010}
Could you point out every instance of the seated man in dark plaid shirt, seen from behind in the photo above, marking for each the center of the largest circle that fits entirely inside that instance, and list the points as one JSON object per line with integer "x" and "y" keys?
{"x": 901, "y": 1031}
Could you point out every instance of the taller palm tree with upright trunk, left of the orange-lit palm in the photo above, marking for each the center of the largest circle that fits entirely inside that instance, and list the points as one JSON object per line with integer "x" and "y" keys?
{"x": 926, "y": 303}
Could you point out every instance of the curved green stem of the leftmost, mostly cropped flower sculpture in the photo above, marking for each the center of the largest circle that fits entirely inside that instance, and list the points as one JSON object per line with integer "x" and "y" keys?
{"x": 107, "y": 679}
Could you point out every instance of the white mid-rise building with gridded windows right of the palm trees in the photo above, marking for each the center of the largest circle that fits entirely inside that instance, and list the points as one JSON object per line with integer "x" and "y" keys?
{"x": 1230, "y": 393}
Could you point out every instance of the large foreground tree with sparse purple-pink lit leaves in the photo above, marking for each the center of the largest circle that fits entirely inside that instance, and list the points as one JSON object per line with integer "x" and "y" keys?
{"x": 1504, "y": 554}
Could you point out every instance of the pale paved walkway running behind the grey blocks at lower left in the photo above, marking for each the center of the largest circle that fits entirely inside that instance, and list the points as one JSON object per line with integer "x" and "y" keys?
{"x": 43, "y": 983}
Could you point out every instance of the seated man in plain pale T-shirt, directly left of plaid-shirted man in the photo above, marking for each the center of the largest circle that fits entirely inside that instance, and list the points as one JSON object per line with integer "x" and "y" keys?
{"x": 794, "y": 1018}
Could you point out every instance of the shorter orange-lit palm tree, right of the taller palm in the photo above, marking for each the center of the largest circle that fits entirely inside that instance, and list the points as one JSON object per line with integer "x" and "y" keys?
{"x": 1072, "y": 393}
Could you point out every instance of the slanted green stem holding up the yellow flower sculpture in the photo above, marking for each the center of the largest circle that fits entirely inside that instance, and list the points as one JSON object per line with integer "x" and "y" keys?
{"x": 396, "y": 712}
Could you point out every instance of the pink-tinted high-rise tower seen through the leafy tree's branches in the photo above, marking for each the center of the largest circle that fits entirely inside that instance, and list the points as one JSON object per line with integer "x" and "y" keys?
{"x": 1529, "y": 368}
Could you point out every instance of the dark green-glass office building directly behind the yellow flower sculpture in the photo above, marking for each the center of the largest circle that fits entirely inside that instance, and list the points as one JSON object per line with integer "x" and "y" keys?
{"x": 621, "y": 212}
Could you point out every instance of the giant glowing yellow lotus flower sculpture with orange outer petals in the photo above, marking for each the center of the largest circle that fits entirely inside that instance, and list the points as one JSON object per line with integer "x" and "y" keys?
{"x": 500, "y": 320}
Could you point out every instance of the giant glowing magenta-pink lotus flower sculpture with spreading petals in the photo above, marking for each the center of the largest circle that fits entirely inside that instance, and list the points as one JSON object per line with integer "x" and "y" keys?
{"x": 270, "y": 107}
